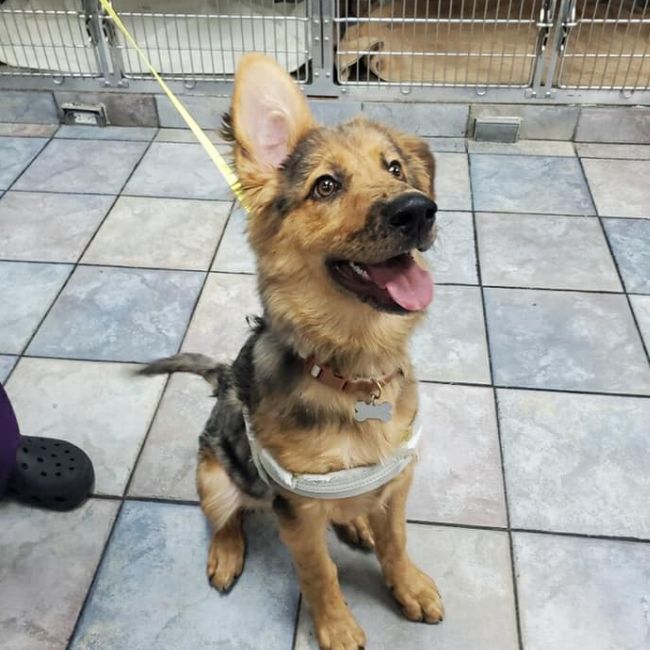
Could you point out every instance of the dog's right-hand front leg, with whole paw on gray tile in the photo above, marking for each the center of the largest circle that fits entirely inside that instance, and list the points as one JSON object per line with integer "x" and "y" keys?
{"x": 415, "y": 591}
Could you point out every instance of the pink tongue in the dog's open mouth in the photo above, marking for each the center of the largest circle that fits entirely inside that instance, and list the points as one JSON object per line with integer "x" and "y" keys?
{"x": 408, "y": 284}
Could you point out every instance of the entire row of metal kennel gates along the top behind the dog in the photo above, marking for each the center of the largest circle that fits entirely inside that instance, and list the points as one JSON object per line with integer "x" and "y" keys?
{"x": 433, "y": 50}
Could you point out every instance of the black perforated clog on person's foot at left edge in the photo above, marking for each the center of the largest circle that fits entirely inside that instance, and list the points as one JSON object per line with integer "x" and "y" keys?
{"x": 51, "y": 473}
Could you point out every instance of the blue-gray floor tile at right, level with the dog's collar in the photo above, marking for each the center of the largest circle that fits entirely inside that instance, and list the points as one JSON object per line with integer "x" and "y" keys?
{"x": 566, "y": 341}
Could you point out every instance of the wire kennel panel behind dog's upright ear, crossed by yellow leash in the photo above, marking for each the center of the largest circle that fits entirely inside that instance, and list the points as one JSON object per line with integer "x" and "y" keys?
{"x": 204, "y": 39}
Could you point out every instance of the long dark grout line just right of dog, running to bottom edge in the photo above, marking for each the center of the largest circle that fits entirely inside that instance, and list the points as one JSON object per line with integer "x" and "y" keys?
{"x": 496, "y": 414}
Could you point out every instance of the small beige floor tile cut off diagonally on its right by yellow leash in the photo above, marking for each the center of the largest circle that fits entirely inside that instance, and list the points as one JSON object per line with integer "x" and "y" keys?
{"x": 178, "y": 170}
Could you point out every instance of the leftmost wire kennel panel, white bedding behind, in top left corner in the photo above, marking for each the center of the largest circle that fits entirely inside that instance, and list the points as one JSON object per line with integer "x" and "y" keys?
{"x": 40, "y": 37}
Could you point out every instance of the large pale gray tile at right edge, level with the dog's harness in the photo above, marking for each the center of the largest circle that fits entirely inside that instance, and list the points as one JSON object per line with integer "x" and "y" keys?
{"x": 576, "y": 463}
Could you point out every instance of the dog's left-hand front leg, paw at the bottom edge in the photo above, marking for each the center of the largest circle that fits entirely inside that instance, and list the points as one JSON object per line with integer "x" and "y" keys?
{"x": 302, "y": 529}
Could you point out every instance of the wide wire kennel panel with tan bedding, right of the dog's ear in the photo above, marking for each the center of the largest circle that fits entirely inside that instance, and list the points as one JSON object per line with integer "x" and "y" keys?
{"x": 438, "y": 42}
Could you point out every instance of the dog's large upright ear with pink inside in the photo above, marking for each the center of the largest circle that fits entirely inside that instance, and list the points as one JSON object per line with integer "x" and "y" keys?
{"x": 269, "y": 113}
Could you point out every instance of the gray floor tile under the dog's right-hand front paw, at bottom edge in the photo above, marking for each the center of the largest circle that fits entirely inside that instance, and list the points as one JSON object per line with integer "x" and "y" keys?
{"x": 472, "y": 570}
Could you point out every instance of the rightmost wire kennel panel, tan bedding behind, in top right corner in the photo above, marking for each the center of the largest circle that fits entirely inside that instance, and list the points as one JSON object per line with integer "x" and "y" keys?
{"x": 607, "y": 45}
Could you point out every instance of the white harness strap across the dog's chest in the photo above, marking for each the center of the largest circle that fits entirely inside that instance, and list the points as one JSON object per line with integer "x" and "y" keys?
{"x": 341, "y": 484}
